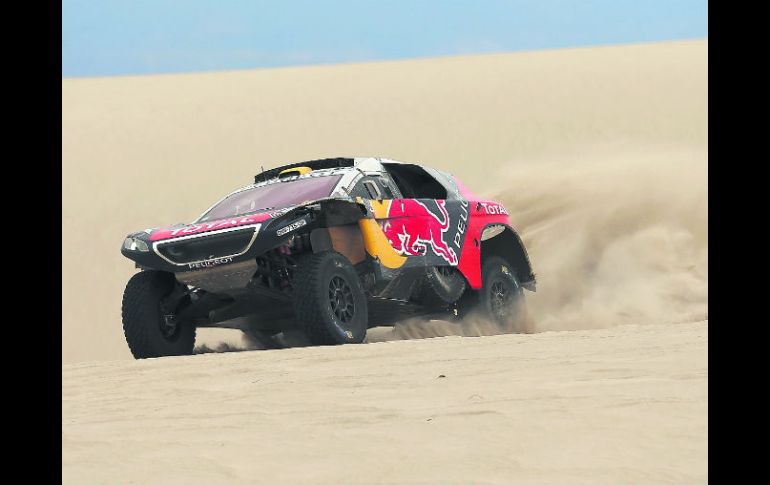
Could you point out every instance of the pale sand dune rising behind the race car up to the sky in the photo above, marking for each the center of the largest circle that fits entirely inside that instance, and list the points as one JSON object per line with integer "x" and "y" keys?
{"x": 551, "y": 133}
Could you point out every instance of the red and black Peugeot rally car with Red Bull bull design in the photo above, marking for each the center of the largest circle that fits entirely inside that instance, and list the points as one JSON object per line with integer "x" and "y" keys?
{"x": 328, "y": 247}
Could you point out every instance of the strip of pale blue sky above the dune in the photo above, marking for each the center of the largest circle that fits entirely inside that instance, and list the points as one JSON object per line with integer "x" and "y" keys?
{"x": 118, "y": 37}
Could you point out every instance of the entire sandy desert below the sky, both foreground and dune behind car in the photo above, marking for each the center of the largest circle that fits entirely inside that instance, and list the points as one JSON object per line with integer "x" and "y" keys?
{"x": 599, "y": 154}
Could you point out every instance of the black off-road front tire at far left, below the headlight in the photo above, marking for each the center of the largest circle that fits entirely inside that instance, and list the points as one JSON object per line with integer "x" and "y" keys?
{"x": 143, "y": 322}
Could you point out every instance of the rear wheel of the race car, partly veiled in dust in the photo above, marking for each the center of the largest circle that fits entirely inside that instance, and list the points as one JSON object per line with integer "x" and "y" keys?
{"x": 508, "y": 313}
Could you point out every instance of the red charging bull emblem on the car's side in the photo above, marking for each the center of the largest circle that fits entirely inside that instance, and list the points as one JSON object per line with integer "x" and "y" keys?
{"x": 411, "y": 227}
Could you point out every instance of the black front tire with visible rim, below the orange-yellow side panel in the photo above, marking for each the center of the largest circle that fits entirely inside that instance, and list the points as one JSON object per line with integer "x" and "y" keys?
{"x": 329, "y": 300}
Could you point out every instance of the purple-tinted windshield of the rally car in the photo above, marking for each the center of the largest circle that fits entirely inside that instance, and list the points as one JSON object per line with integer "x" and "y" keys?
{"x": 272, "y": 196}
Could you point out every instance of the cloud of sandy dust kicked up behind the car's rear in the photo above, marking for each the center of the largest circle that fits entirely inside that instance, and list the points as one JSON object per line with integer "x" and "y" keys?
{"x": 615, "y": 236}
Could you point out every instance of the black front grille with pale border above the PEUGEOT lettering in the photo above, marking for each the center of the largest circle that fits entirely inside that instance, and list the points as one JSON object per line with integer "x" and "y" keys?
{"x": 207, "y": 247}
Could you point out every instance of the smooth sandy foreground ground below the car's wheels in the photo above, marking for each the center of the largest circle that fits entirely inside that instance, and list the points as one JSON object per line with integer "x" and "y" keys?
{"x": 621, "y": 405}
